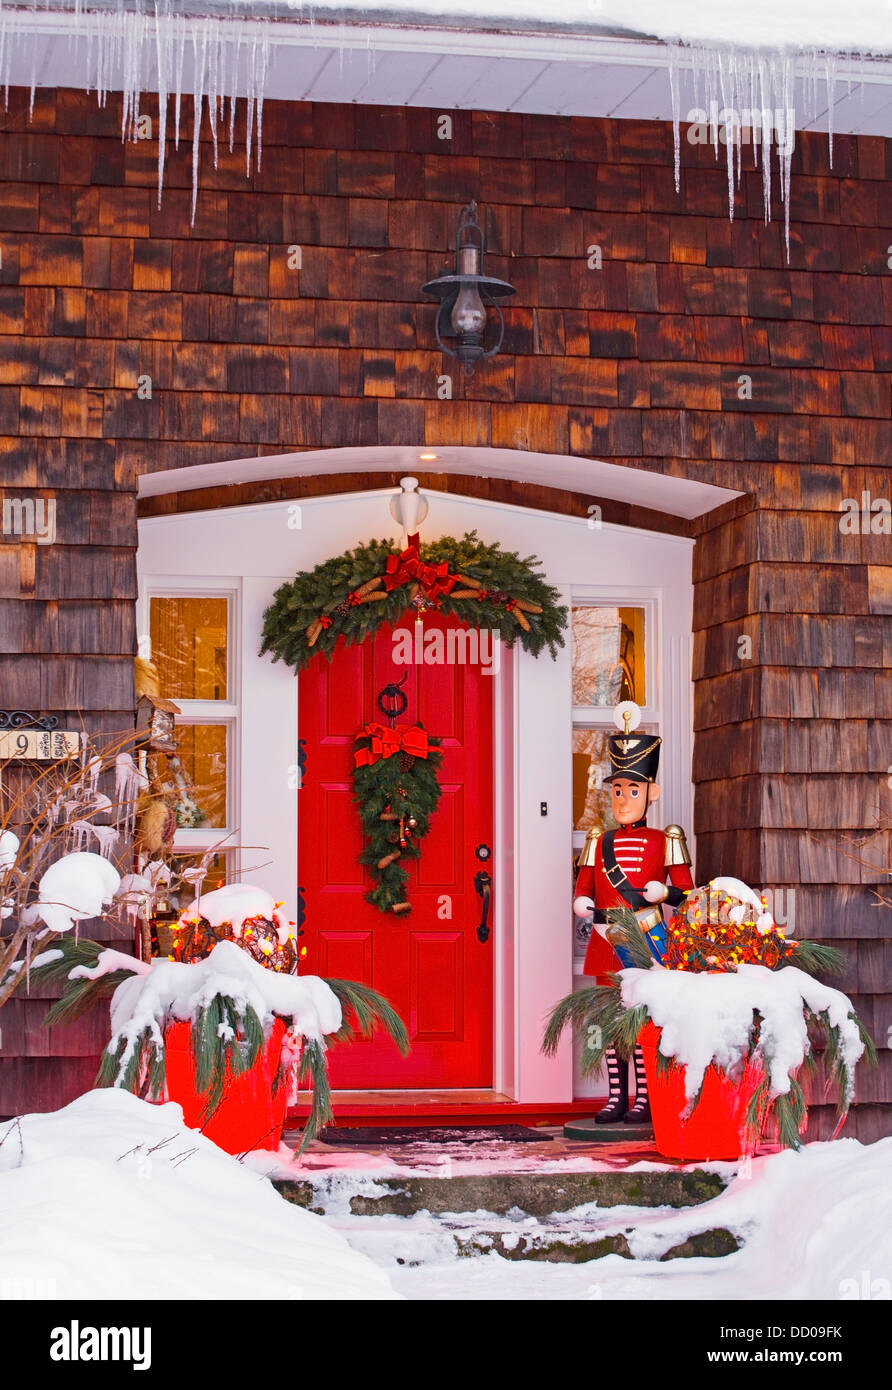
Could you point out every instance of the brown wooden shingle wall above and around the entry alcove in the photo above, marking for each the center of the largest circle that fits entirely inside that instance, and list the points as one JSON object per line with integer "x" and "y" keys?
{"x": 640, "y": 363}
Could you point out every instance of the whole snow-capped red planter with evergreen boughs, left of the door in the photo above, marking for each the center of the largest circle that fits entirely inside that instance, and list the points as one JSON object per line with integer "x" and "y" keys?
{"x": 226, "y": 1035}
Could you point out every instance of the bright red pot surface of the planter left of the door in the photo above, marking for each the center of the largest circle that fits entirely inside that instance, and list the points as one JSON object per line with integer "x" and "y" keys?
{"x": 249, "y": 1115}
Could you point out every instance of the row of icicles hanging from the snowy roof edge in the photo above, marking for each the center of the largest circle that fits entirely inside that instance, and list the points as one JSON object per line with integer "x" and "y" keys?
{"x": 148, "y": 47}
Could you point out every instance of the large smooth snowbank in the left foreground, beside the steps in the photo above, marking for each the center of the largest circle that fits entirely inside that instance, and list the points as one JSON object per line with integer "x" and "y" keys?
{"x": 115, "y": 1199}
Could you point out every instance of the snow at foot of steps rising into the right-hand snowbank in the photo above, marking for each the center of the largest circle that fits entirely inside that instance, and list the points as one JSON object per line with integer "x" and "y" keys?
{"x": 818, "y": 1225}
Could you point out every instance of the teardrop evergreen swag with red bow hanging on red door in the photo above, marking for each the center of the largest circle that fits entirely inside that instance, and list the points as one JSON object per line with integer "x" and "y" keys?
{"x": 397, "y": 792}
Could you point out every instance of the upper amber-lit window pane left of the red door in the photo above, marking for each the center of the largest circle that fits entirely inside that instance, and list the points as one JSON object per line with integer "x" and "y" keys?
{"x": 190, "y": 647}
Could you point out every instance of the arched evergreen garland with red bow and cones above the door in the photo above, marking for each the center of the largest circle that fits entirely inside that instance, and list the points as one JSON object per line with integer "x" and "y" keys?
{"x": 355, "y": 593}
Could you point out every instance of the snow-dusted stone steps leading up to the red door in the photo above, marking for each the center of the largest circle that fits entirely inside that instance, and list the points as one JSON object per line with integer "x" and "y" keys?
{"x": 561, "y": 1202}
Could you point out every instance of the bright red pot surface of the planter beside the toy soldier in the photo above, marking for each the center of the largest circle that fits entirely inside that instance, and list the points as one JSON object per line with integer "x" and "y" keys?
{"x": 718, "y": 1127}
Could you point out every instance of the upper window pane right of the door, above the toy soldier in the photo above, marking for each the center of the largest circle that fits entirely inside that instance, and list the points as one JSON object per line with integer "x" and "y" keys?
{"x": 608, "y": 655}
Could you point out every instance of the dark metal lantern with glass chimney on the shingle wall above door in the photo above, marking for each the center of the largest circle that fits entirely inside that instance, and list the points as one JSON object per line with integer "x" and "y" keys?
{"x": 466, "y": 295}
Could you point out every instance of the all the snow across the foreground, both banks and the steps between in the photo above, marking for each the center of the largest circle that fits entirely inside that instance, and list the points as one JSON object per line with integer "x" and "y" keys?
{"x": 113, "y": 1197}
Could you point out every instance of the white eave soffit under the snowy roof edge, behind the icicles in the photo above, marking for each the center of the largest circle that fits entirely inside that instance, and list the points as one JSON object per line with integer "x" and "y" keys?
{"x": 590, "y": 73}
